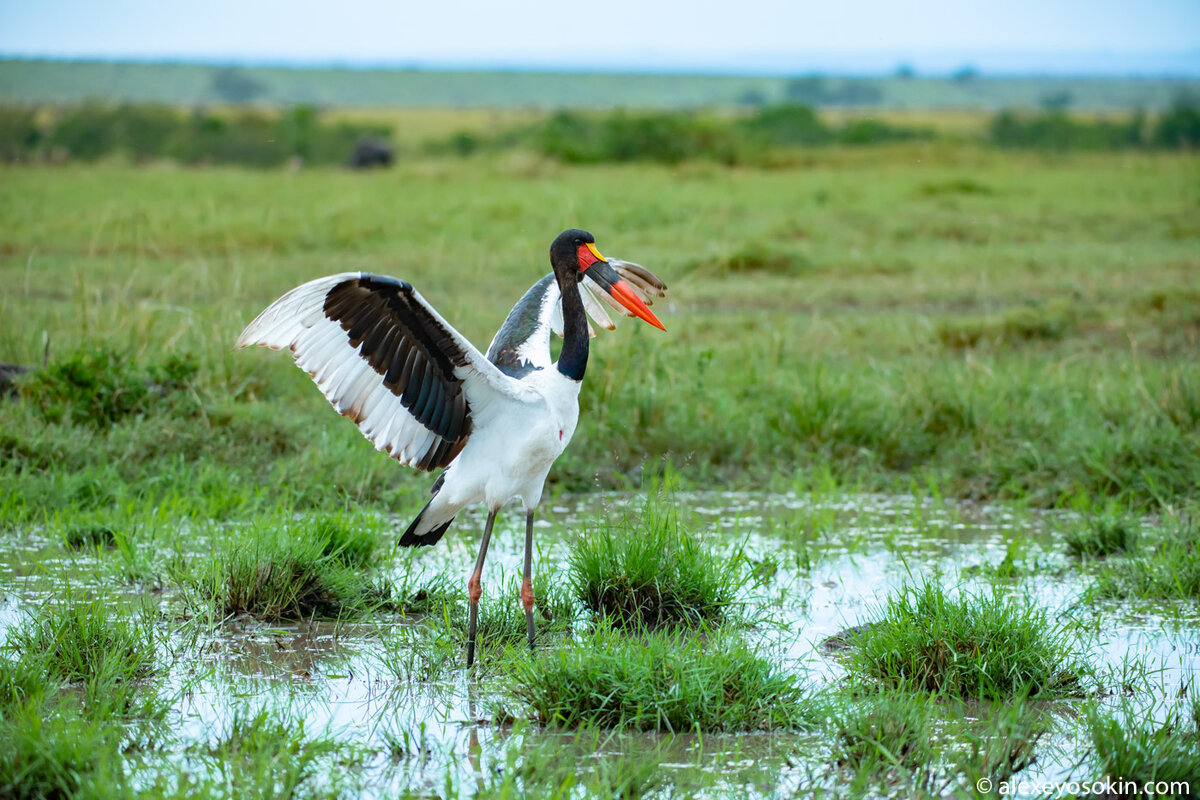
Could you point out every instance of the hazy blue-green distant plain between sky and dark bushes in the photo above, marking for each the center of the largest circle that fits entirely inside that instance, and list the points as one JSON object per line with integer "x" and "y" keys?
{"x": 195, "y": 85}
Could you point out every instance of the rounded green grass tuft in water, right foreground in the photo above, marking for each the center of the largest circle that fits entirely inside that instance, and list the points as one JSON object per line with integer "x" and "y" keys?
{"x": 981, "y": 646}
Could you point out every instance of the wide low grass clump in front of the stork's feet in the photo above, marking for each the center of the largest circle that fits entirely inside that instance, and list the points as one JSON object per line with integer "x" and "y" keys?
{"x": 661, "y": 682}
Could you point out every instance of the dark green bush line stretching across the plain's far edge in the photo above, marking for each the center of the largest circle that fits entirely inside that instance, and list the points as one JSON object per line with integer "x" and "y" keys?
{"x": 760, "y": 137}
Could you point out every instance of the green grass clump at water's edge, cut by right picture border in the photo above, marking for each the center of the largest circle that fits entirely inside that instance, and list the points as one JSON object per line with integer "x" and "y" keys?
{"x": 1165, "y": 569}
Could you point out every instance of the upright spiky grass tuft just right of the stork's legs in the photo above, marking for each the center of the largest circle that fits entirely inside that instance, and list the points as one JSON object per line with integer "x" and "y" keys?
{"x": 655, "y": 573}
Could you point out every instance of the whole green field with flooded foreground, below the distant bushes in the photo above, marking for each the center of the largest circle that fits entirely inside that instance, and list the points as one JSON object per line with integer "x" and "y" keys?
{"x": 932, "y": 356}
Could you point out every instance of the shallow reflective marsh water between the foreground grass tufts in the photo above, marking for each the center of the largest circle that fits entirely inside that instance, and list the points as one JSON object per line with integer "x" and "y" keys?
{"x": 821, "y": 566}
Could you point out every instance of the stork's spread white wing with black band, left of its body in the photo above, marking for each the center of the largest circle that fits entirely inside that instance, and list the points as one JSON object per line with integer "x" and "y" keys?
{"x": 385, "y": 358}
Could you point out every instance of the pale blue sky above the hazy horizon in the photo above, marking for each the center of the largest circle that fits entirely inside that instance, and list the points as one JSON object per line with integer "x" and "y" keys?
{"x": 608, "y": 35}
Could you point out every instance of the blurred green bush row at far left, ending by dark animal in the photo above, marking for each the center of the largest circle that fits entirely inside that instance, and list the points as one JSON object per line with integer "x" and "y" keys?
{"x": 149, "y": 133}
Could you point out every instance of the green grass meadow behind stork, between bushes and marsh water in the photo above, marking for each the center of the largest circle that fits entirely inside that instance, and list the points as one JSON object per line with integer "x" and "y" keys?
{"x": 830, "y": 360}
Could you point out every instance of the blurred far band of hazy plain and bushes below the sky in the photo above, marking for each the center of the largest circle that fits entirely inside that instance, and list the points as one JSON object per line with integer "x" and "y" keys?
{"x": 259, "y": 117}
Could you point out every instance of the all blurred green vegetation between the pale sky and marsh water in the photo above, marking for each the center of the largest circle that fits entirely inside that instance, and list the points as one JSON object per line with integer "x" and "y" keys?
{"x": 998, "y": 299}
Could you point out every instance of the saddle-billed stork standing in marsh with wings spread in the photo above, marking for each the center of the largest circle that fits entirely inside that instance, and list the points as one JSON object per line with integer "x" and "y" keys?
{"x": 421, "y": 392}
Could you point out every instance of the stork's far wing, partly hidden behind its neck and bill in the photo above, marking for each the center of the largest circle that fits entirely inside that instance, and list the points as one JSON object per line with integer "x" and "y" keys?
{"x": 523, "y": 345}
